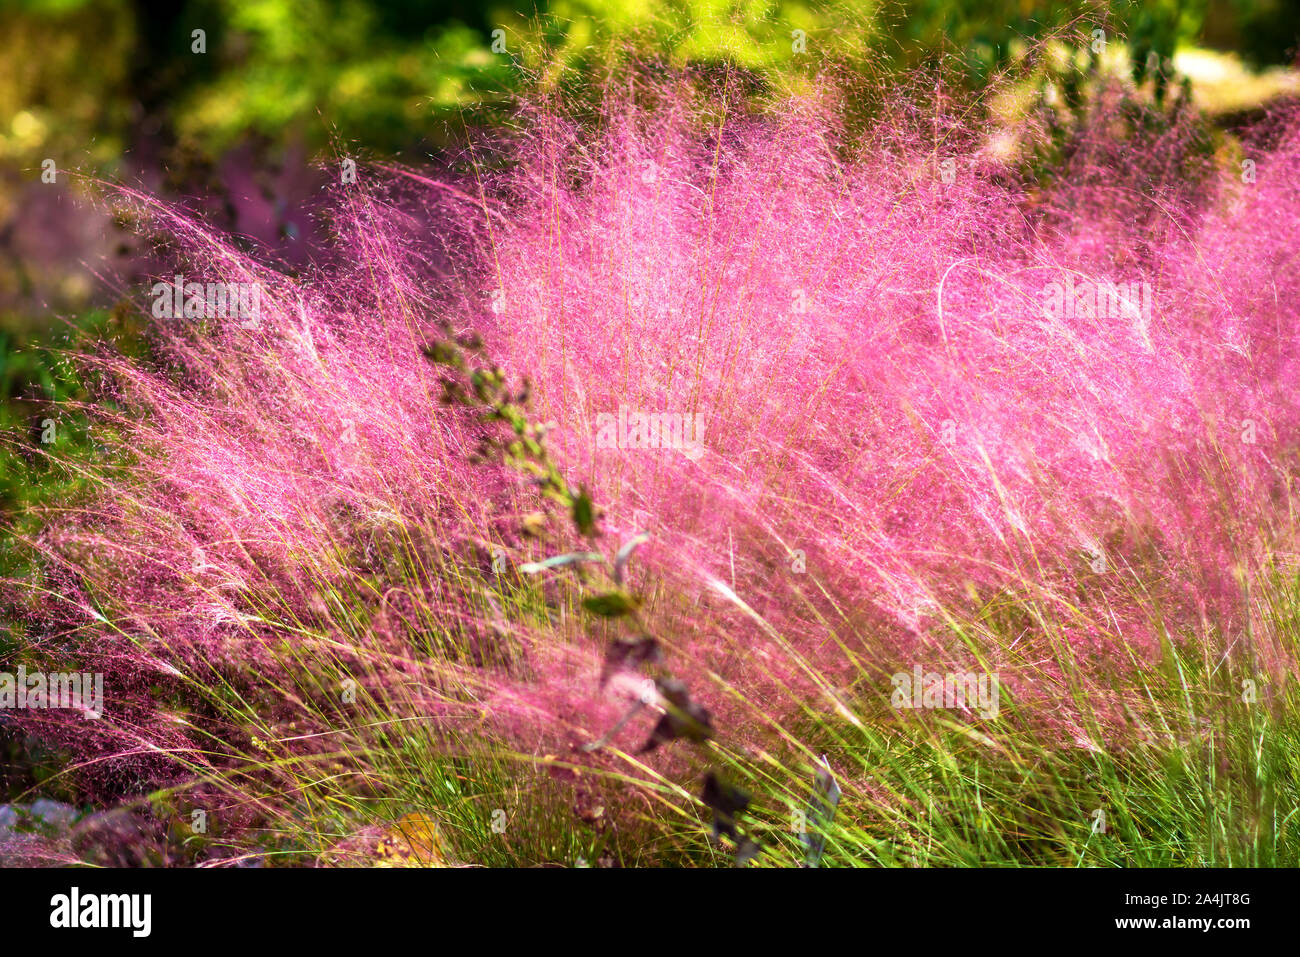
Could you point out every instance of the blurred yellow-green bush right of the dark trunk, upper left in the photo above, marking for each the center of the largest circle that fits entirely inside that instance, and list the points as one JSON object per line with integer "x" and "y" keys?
{"x": 378, "y": 75}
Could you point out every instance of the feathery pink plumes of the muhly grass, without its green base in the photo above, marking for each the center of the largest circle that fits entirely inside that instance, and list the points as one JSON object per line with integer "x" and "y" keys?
{"x": 905, "y": 461}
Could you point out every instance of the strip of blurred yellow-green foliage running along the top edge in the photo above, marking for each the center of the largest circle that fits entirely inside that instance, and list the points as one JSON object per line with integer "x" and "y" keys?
{"x": 404, "y": 75}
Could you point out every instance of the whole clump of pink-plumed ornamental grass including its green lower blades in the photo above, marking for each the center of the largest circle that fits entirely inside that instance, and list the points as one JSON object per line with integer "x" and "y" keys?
{"x": 595, "y": 490}
